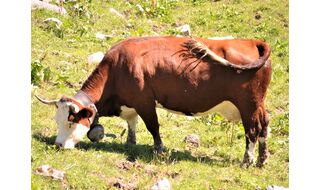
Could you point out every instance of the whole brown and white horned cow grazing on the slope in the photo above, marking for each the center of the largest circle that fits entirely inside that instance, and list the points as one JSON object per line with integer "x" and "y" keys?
{"x": 190, "y": 76}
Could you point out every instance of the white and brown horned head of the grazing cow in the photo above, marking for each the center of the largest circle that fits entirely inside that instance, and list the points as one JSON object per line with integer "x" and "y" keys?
{"x": 73, "y": 121}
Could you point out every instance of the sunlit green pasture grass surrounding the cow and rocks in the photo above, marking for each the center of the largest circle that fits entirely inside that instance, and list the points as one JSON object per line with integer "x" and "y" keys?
{"x": 61, "y": 55}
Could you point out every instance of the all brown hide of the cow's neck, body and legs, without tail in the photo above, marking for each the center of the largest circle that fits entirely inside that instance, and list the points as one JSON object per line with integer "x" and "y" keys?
{"x": 137, "y": 72}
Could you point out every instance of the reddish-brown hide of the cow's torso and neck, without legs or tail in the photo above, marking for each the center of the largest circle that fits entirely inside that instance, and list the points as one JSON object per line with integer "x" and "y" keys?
{"x": 149, "y": 69}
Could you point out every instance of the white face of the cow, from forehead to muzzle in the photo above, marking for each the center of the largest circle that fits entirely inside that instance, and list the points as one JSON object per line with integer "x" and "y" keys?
{"x": 69, "y": 134}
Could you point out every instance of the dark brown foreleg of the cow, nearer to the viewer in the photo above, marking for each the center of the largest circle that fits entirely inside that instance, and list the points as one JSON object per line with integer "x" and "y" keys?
{"x": 149, "y": 116}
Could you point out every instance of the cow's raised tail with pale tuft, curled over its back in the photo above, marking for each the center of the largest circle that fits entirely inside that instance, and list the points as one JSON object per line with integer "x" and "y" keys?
{"x": 200, "y": 50}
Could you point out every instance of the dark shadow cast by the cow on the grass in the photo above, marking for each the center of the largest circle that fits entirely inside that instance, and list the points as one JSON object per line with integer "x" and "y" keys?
{"x": 145, "y": 152}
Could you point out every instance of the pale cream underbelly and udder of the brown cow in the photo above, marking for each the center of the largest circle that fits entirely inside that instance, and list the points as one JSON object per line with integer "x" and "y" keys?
{"x": 225, "y": 108}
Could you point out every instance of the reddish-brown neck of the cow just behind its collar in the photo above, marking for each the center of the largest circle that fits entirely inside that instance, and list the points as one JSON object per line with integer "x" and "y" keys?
{"x": 94, "y": 85}
